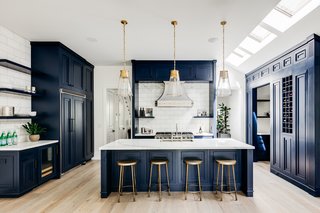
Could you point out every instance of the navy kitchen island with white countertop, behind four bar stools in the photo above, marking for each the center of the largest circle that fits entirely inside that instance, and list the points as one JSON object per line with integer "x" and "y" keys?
{"x": 143, "y": 150}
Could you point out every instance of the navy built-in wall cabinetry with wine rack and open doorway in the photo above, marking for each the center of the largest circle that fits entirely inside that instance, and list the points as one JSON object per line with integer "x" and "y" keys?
{"x": 294, "y": 113}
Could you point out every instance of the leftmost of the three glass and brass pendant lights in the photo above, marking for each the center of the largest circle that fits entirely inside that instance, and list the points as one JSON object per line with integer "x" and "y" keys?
{"x": 124, "y": 86}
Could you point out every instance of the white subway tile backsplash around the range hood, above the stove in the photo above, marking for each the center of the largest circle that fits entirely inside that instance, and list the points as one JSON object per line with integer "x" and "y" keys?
{"x": 166, "y": 118}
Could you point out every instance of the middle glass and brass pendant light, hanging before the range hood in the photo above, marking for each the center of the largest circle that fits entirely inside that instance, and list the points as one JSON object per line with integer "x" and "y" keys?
{"x": 174, "y": 86}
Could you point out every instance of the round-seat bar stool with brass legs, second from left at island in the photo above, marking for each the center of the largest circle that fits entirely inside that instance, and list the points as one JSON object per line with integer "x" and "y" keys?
{"x": 159, "y": 162}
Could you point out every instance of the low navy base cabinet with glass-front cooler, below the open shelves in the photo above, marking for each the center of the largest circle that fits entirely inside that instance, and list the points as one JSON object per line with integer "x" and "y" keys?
{"x": 21, "y": 171}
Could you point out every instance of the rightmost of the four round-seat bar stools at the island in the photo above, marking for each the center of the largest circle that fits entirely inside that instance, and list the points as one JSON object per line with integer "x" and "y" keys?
{"x": 228, "y": 163}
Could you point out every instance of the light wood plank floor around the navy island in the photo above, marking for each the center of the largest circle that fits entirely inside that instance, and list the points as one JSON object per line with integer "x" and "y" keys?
{"x": 78, "y": 191}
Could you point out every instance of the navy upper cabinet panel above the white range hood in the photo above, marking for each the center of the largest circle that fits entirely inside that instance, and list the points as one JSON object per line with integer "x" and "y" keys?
{"x": 157, "y": 71}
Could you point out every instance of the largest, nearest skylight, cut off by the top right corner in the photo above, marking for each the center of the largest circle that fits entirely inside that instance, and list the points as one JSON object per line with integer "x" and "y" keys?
{"x": 289, "y": 12}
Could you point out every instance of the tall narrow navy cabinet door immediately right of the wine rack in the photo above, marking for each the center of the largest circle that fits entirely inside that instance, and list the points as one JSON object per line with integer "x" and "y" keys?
{"x": 301, "y": 94}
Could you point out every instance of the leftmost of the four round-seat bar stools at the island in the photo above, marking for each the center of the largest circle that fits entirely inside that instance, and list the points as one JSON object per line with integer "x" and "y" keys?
{"x": 122, "y": 164}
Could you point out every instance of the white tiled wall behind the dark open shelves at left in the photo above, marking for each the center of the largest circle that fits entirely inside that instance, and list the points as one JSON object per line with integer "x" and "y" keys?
{"x": 16, "y": 49}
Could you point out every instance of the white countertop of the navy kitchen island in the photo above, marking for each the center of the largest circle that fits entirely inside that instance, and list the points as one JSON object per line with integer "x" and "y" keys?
{"x": 155, "y": 144}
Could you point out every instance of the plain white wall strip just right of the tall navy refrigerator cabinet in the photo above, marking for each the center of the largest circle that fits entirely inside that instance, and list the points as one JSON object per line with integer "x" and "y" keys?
{"x": 105, "y": 77}
